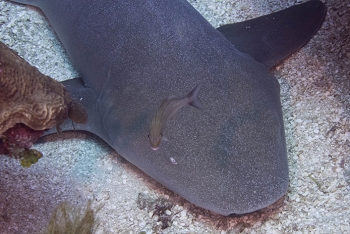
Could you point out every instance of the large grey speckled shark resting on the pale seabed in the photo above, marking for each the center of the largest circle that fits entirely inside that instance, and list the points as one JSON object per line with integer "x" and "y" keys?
{"x": 230, "y": 157}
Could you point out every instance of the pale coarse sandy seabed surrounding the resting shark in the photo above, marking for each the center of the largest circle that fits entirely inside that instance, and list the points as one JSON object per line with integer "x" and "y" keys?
{"x": 315, "y": 94}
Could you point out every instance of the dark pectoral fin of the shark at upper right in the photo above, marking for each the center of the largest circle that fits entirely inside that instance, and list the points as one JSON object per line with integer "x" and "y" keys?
{"x": 272, "y": 38}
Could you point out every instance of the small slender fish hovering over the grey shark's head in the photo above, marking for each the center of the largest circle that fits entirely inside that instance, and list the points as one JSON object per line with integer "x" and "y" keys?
{"x": 166, "y": 111}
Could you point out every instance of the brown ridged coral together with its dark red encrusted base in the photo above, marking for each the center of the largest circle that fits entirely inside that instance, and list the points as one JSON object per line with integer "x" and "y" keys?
{"x": 30, "y": 103}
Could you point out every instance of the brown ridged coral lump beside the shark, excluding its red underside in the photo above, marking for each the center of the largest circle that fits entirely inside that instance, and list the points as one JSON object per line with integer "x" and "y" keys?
{"x": 29, "y": 97}
